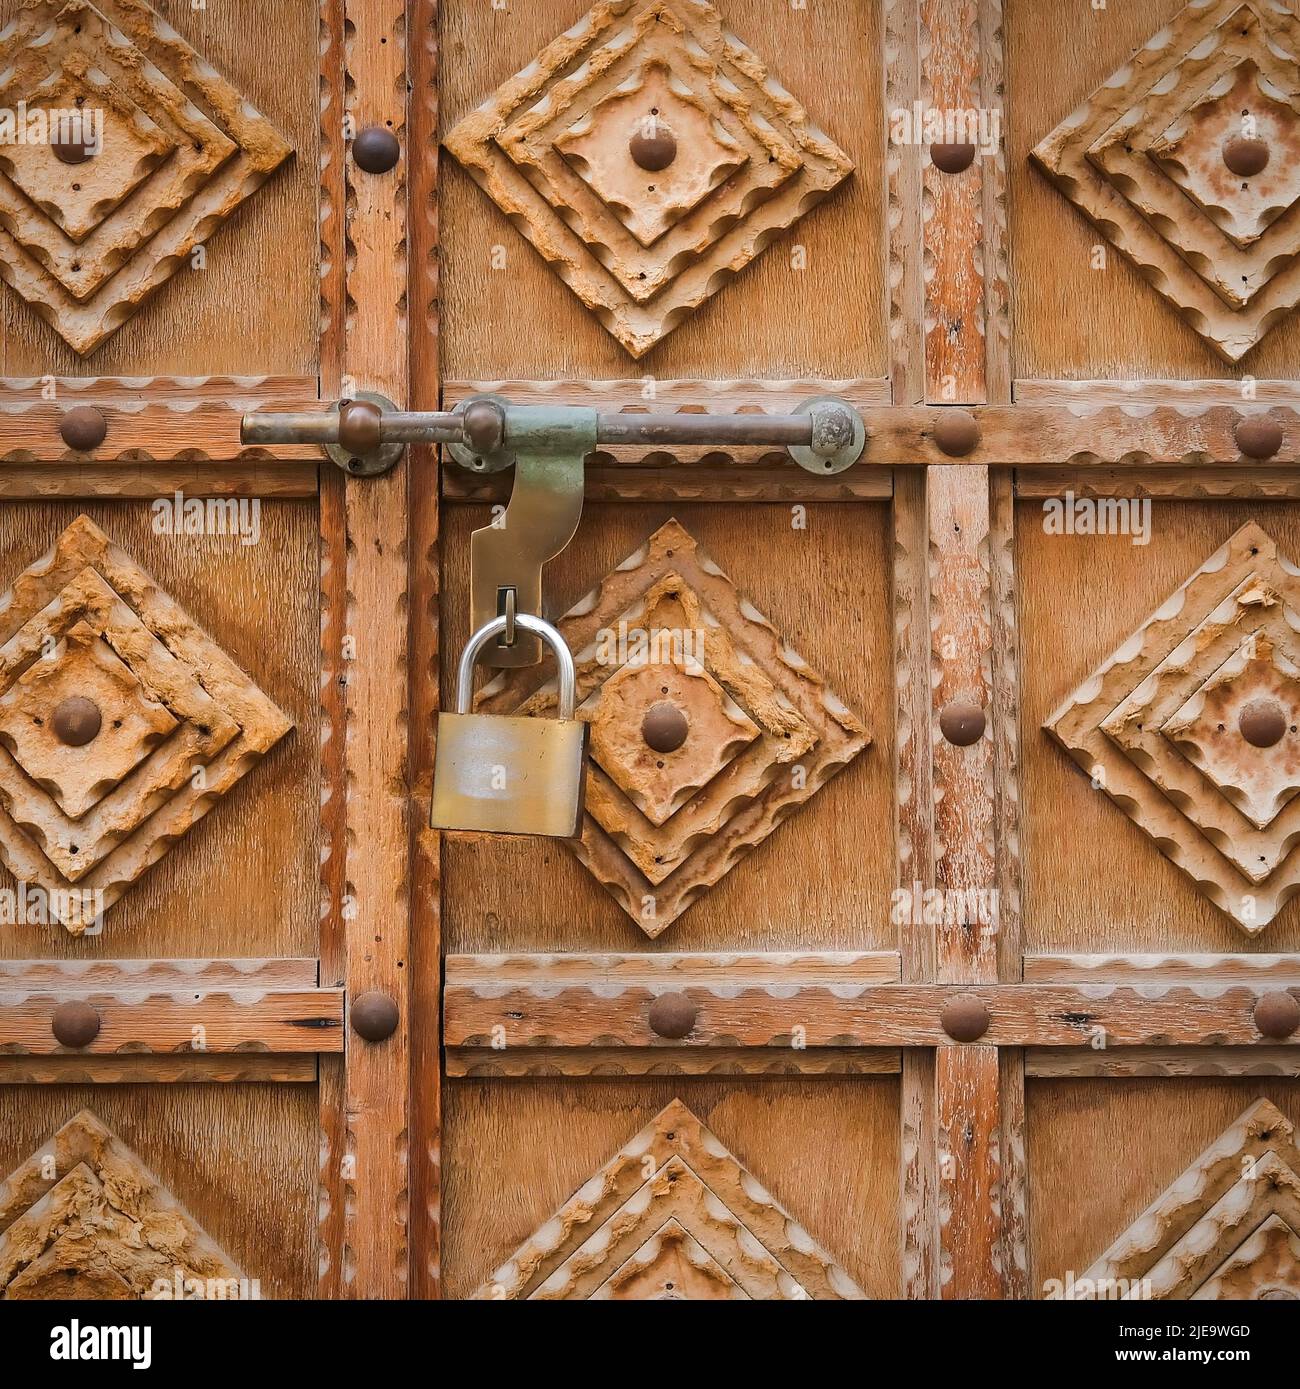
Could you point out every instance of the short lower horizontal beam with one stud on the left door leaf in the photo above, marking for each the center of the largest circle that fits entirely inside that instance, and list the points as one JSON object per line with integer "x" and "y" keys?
{"x": 192, "y": 1008}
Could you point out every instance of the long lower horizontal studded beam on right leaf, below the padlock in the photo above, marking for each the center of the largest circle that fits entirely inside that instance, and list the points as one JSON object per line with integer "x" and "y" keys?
{"x": 556, "y": 1002}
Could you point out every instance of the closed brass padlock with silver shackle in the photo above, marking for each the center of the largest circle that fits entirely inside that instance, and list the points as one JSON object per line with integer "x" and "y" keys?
{"x": 508, "y": 776}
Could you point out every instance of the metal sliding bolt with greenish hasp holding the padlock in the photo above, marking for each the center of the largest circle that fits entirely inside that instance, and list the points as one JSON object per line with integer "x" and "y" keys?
{"x": 547, "y": 447}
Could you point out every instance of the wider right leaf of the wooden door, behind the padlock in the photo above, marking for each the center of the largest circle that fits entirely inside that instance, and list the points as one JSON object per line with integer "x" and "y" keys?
{"x": 919, "y": 963}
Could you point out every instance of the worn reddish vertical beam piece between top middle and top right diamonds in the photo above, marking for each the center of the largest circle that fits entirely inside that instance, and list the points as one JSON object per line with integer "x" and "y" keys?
{"x": 955, "y": 290}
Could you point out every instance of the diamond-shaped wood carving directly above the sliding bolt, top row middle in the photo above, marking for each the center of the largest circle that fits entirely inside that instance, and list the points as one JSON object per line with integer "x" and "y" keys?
{"x": 648, "y": 156}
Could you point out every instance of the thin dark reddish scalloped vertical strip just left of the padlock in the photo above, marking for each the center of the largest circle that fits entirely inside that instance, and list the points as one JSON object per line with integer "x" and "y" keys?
{"x": 426, "y": 969}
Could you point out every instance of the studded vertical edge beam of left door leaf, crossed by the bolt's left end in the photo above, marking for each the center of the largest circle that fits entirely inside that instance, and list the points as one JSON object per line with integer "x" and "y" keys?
{"x": 366, "y": 826}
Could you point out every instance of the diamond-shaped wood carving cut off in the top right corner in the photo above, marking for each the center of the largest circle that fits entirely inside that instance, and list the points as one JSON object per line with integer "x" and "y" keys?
{"x": 1148, "y": 160}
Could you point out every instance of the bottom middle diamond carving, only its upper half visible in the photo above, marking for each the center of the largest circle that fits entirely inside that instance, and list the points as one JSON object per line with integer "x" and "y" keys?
{"x": 673, "y": 1217}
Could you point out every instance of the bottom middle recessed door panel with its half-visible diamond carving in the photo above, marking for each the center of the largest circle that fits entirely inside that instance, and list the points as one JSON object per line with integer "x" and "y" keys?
{"x": 824, "y": 1149}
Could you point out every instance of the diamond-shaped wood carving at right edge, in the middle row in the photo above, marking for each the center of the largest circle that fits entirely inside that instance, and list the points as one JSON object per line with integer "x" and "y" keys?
{"x": 1192, "y": 727}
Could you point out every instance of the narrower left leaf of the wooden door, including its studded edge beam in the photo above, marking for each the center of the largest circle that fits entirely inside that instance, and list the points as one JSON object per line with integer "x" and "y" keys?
{"x": 203, "y": 833}
